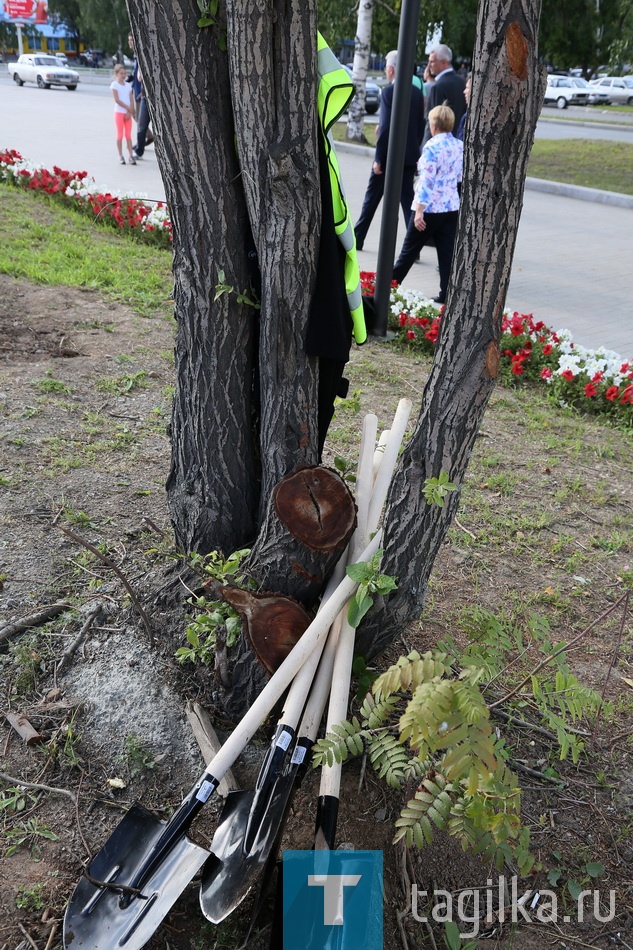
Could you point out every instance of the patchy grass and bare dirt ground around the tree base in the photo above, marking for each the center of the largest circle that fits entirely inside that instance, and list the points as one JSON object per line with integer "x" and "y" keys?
{"x": 539, "y": 555}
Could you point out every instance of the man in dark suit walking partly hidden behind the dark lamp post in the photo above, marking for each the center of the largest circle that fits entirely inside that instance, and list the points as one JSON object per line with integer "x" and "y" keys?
{"x": 415, "y": 130}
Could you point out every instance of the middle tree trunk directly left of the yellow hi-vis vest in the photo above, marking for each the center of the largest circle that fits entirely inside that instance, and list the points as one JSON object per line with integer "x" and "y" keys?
{"x": 272, "y": 61}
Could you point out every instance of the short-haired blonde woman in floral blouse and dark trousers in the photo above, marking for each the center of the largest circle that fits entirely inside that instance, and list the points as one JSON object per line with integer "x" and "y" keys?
{"x": 436, "y": 201}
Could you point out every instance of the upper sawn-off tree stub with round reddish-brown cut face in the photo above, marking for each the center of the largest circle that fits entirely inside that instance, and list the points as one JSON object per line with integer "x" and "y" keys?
{"x": 310, "y": 519}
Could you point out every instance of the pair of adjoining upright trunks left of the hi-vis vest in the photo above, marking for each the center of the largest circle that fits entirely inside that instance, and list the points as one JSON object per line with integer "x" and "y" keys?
{"x": 236, "y": 144}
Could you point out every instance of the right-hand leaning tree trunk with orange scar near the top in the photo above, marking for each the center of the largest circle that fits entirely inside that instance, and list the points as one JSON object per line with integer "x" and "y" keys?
{"x": 508, "y": 87}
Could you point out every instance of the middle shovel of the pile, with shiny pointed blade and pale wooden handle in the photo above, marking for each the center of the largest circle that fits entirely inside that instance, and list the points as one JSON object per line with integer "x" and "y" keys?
{"x": 252, "y": 821}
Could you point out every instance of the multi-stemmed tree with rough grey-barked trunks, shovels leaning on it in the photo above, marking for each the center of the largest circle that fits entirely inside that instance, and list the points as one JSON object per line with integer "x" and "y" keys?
{"x": 268, "y": 201}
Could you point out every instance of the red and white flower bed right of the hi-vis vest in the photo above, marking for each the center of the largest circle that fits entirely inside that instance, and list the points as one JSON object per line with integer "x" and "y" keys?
{"x": 596, "y": 381}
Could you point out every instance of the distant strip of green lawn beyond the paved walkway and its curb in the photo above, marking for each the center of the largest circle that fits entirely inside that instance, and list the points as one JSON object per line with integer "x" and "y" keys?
{"x": 592, "y": 164}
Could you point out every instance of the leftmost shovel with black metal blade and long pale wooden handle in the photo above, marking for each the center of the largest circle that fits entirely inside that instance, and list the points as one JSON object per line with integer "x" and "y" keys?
{"x": 146, "y": 864}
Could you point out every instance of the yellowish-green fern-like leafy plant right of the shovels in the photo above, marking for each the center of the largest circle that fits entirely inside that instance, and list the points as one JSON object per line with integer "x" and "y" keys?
{"x": 428, "y": 720}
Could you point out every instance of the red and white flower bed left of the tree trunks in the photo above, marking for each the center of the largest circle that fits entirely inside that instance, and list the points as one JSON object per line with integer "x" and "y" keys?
{"x": 136, "y": 215}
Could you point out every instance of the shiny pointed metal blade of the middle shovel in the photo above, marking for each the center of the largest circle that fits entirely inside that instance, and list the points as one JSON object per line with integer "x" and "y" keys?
{"x": 231, "y": 872}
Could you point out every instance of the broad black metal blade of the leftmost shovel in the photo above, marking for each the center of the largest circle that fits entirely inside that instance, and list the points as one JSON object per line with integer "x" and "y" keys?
{"x": 95, "y": 919}
